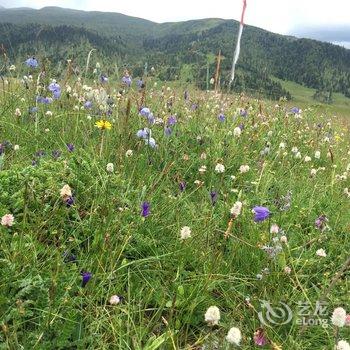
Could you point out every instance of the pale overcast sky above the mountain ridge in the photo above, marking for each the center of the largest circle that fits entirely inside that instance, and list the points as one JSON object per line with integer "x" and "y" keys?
{"x": 327, "y": 20}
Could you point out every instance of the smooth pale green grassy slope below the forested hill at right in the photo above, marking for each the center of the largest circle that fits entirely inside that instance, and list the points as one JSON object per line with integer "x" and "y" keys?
{"x": 303, "y": 97}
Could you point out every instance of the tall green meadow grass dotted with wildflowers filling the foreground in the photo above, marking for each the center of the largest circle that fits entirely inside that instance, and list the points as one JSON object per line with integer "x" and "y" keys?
{"x": 166, "y": 284}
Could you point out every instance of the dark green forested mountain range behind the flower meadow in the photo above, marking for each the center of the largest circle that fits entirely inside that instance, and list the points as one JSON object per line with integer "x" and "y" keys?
{"x": 184, "y": 50}
